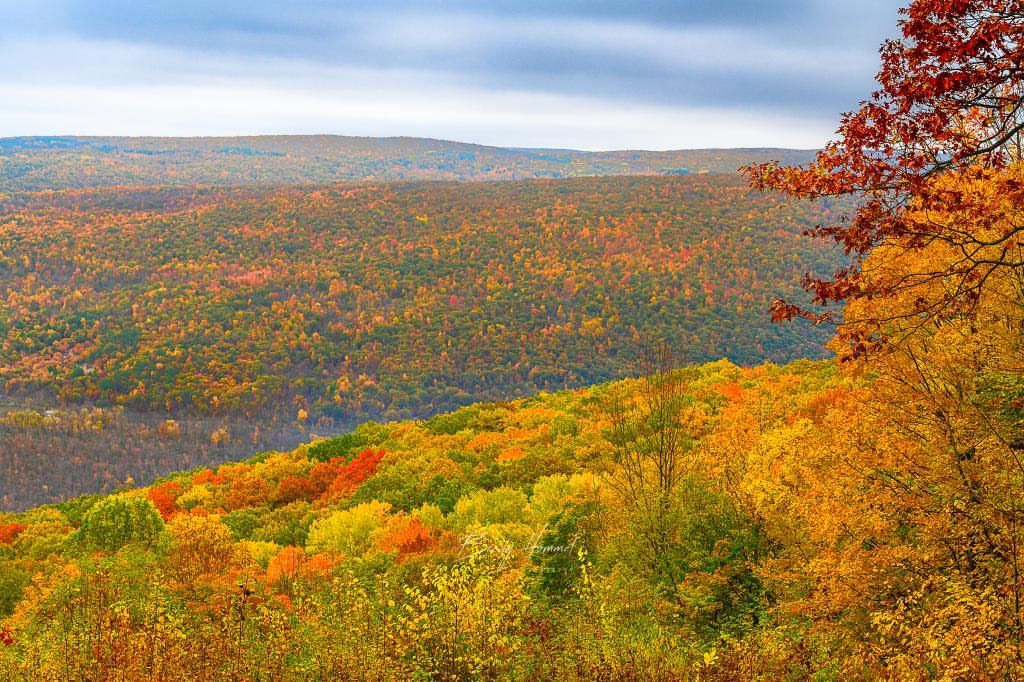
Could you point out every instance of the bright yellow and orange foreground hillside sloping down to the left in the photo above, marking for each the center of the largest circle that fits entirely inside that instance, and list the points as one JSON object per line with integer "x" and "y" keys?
{"x": 714, "y": 523}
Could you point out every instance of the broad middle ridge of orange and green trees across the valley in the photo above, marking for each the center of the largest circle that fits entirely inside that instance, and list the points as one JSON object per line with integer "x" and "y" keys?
{"x": 390, "y": 301}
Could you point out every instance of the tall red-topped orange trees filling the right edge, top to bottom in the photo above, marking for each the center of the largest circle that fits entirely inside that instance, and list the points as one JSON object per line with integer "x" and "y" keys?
{"x": 934, "y": 309}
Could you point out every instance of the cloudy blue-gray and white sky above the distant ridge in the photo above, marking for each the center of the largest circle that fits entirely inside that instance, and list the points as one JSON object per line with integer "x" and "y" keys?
{"x": 568, "y": 74}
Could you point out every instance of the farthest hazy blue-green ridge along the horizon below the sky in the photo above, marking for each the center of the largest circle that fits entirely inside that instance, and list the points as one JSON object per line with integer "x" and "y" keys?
{"x": 56, "y": 163}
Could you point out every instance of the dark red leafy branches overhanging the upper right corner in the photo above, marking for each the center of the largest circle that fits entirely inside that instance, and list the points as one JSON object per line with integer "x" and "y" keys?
{"x": 946, "y": 120}
